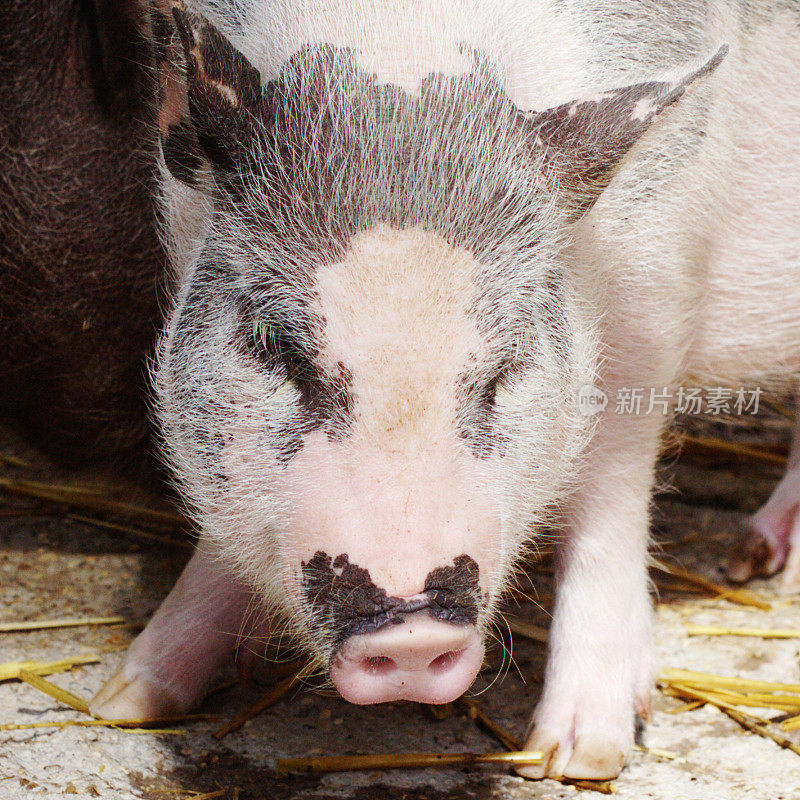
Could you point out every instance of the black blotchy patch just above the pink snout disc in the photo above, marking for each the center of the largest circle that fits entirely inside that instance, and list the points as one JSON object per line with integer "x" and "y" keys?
{"x": 345, "y": 602}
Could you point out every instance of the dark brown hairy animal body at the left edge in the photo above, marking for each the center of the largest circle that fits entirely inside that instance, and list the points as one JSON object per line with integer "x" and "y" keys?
{"x": 81, "y": 266}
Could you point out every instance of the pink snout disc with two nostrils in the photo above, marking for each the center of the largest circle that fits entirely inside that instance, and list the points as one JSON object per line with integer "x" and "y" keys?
{"x": 421, "y": 658}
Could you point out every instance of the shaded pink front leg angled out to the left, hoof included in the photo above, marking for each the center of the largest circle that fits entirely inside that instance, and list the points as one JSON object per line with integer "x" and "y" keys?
{"x": 172, "y": 662}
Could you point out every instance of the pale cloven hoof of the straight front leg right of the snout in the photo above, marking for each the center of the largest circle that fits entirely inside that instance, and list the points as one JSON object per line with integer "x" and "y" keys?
{"x": 588, "y": 757}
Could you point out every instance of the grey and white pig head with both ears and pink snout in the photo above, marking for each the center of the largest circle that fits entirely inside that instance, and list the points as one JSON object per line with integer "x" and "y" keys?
{"x": 366, "y": 386}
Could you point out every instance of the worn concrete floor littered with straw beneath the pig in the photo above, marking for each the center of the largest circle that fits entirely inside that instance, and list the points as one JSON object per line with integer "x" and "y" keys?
{"x": 54, "y": 566}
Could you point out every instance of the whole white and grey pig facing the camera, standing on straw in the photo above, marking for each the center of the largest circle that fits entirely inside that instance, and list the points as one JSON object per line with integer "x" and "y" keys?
{"x": 403, "y": 239}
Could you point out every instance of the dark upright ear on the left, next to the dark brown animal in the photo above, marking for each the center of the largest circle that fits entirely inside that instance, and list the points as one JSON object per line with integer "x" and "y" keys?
{"x": 209, "y": 95}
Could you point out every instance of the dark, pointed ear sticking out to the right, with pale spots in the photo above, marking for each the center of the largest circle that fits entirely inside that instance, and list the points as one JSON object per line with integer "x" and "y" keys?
{"x": 582, "y": 143}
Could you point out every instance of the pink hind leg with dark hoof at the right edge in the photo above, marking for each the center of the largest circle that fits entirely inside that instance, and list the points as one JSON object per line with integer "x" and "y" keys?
{"x": 772, "y": 540}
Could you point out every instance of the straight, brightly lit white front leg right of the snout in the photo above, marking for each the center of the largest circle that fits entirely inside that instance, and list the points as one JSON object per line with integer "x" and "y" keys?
{"x": 600, "y": 663}
